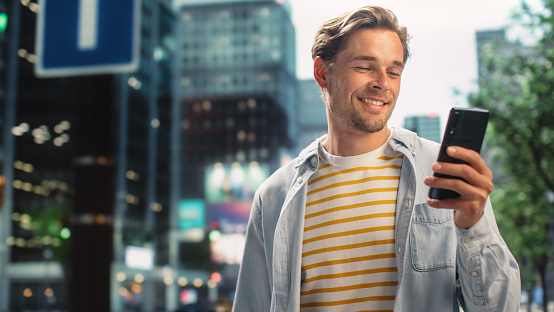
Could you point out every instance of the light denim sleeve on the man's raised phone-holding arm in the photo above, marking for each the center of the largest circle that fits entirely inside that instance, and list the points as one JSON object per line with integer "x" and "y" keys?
{"x": 488, "y": 274}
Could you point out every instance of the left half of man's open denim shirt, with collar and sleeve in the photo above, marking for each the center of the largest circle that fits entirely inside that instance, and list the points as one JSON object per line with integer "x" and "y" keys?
{"x": 269, "y": 275}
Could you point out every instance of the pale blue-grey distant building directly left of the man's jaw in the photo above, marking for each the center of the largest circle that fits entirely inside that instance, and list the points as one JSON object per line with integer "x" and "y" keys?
{"x": 312, "y": 114}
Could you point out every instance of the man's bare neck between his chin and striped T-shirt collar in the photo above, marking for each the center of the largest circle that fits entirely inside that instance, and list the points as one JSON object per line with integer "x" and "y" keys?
{"x": 352, "y": 143}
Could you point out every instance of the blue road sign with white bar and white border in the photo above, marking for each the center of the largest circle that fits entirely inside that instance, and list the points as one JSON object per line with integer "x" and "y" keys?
{"x": 84, "y": 37}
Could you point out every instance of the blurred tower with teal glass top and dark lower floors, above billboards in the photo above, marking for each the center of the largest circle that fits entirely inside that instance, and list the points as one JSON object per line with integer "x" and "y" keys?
{"x": 237, "y": 75}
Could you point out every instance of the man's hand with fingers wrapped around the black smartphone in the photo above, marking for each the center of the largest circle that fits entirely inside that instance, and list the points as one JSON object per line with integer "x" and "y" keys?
{"x": 468, "y": 208}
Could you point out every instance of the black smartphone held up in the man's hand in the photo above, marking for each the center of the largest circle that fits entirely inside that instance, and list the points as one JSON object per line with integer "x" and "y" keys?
{"x": 466, "y": 127}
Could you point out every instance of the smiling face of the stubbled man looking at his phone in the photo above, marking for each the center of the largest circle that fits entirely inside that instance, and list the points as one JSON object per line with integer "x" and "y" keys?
{"x": 364, "y": 83}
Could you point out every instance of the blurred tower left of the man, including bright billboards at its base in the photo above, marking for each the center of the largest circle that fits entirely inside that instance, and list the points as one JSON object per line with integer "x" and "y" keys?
{"x": 237, "y": 92}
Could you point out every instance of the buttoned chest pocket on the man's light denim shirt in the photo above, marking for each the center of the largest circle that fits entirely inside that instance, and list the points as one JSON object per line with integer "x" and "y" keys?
{"x": 432, "y": 238}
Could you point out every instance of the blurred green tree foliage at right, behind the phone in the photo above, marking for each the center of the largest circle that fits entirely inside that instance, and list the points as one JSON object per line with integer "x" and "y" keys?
{"x": 517, "y": 86}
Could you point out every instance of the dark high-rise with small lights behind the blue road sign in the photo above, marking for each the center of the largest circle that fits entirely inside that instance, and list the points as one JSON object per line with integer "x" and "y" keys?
{"x": 91, "y": 175}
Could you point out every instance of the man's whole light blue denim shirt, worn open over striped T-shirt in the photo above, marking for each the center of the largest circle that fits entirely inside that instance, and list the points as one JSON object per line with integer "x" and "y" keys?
{"x": 440, "y": 266}
